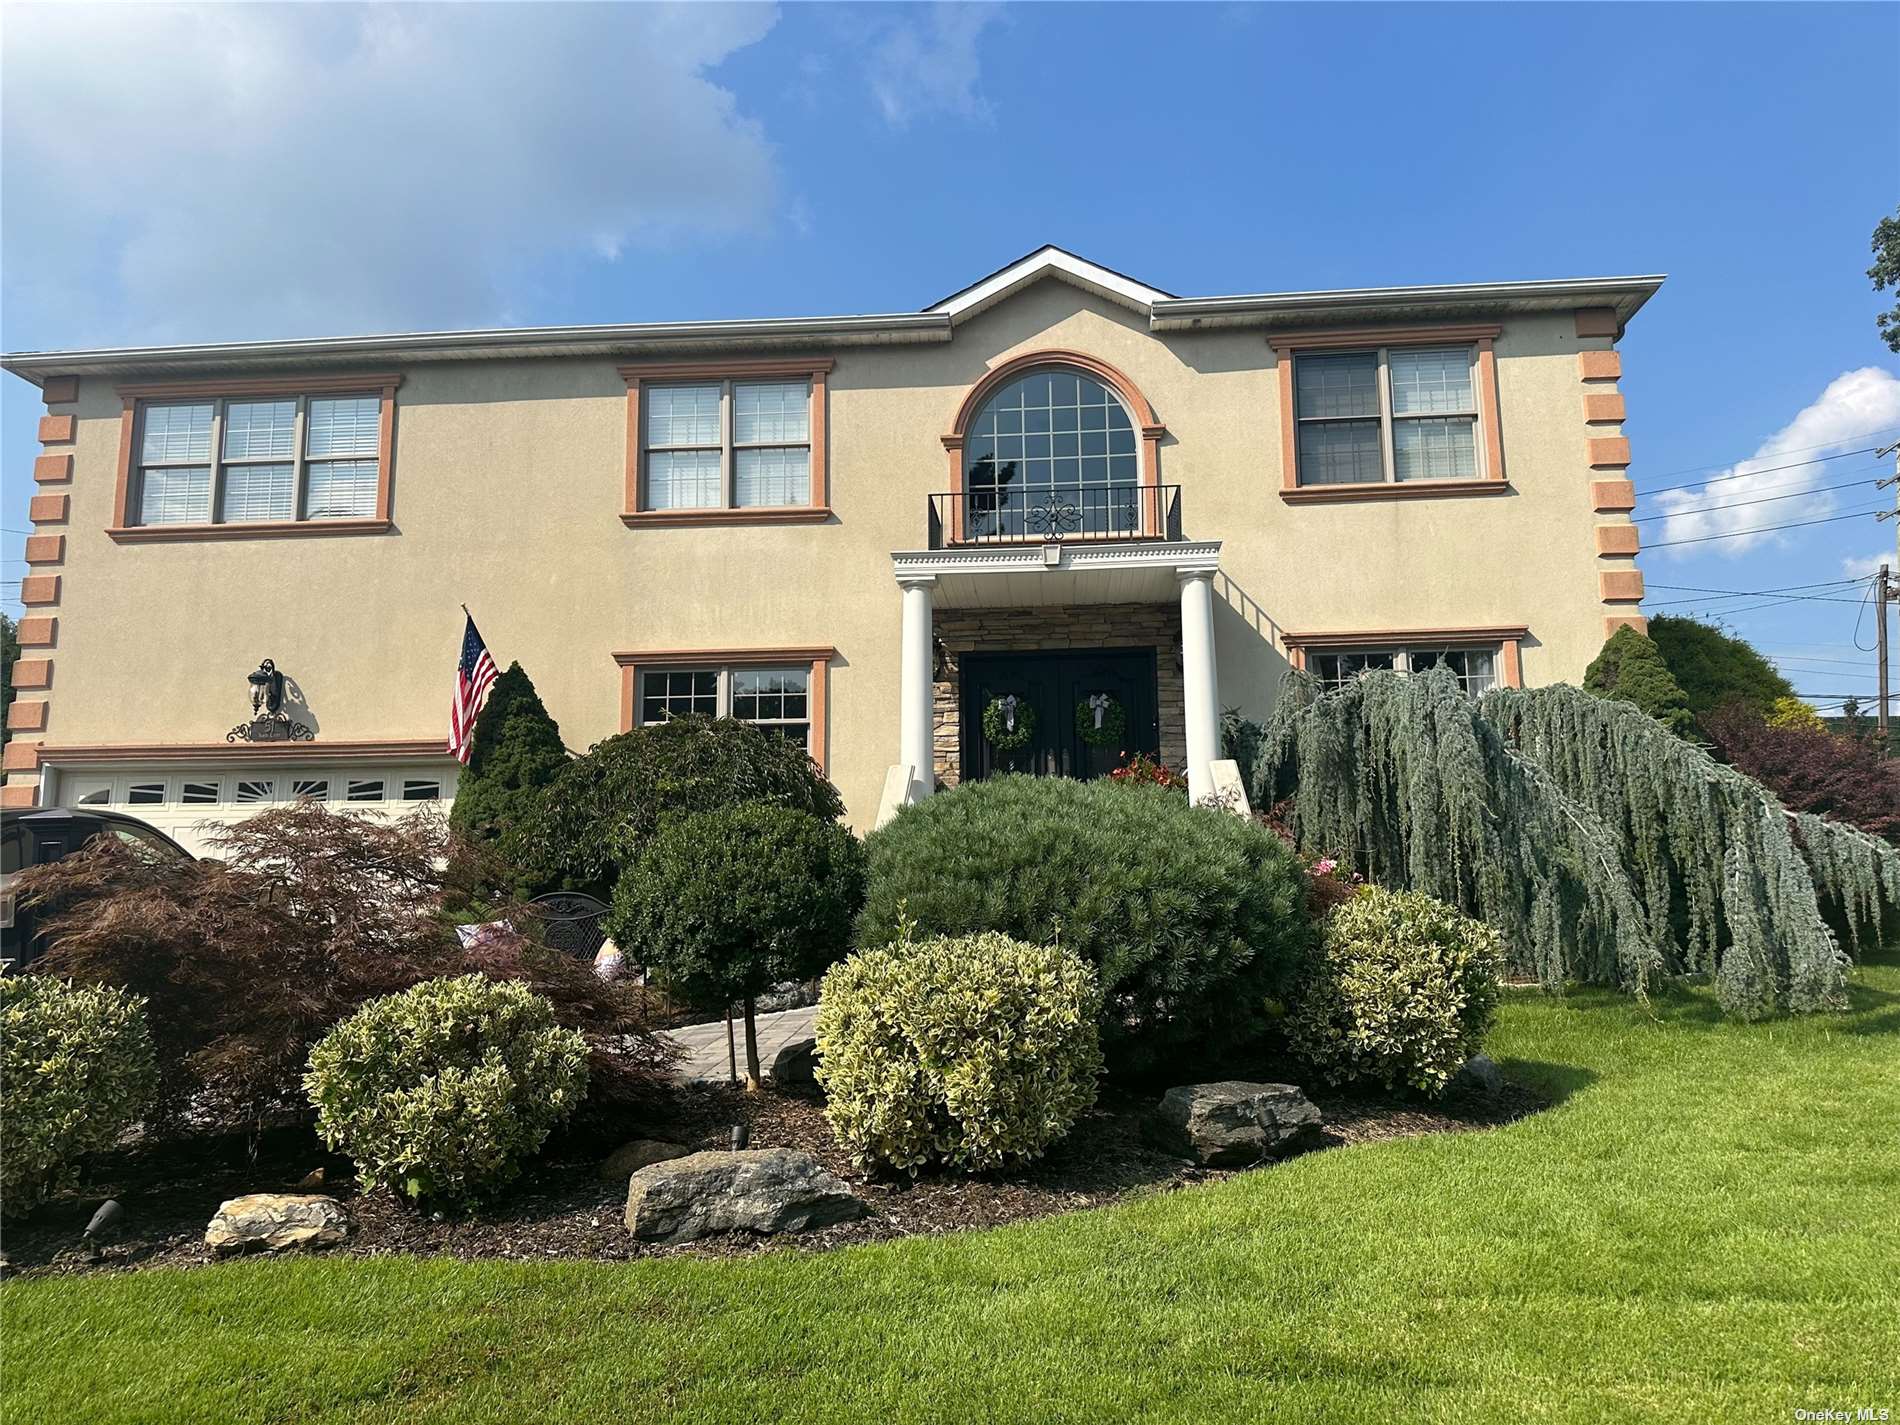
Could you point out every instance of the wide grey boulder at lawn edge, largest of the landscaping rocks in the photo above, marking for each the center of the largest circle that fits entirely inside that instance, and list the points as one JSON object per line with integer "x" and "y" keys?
{"x": 763, "y": 1190}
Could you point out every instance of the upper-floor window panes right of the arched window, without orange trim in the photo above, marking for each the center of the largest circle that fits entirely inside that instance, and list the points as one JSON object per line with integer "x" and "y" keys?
{"x": 1388, "y": 415}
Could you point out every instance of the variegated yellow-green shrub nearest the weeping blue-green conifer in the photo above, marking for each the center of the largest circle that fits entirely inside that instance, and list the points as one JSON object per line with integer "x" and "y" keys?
{"x": 1401, "y": 991}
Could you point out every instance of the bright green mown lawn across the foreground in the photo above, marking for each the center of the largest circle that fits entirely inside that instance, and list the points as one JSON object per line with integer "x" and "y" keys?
{"x": 1707, "y": 1228}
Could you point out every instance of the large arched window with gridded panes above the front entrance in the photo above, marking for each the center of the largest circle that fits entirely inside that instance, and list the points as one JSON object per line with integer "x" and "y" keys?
{"x": 1052, "y": 453}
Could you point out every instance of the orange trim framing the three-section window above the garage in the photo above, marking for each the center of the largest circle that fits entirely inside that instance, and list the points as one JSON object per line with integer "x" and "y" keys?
{"x": 212, "y": 390}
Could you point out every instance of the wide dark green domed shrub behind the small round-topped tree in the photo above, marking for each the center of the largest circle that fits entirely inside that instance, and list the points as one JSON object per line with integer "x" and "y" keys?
{"x": 599, "y": 812}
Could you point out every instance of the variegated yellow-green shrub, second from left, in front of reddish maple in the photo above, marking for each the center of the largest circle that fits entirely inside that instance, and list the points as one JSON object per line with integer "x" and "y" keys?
{"x": 444, "y": 1090}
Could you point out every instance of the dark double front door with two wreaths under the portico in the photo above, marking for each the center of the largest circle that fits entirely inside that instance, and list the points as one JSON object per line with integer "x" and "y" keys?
{"x": 1055, "y": 685}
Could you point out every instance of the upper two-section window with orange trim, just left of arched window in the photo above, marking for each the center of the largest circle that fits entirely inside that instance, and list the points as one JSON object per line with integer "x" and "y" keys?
{"x": 732, "y": 446}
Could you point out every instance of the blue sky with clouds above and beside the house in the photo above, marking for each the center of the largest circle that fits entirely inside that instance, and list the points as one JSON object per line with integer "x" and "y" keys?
{"x": 307, "y": 170}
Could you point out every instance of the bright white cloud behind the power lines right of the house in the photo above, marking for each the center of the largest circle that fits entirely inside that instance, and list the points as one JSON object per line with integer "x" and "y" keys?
{"x": 1855, "y": 404}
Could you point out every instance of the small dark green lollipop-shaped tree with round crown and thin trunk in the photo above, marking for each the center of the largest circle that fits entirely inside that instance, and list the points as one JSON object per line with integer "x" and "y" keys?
{"x": 729, "y": 903}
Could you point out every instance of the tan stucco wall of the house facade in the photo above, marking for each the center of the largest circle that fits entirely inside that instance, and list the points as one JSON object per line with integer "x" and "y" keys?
{"x": 508, "y": 493}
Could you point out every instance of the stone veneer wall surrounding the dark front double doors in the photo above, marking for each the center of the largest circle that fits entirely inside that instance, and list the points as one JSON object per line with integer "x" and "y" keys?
{"x": 1059, "y": 628}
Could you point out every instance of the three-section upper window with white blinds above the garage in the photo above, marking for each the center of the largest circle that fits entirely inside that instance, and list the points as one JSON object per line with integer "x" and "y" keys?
{"x": 257, "y": 457}
